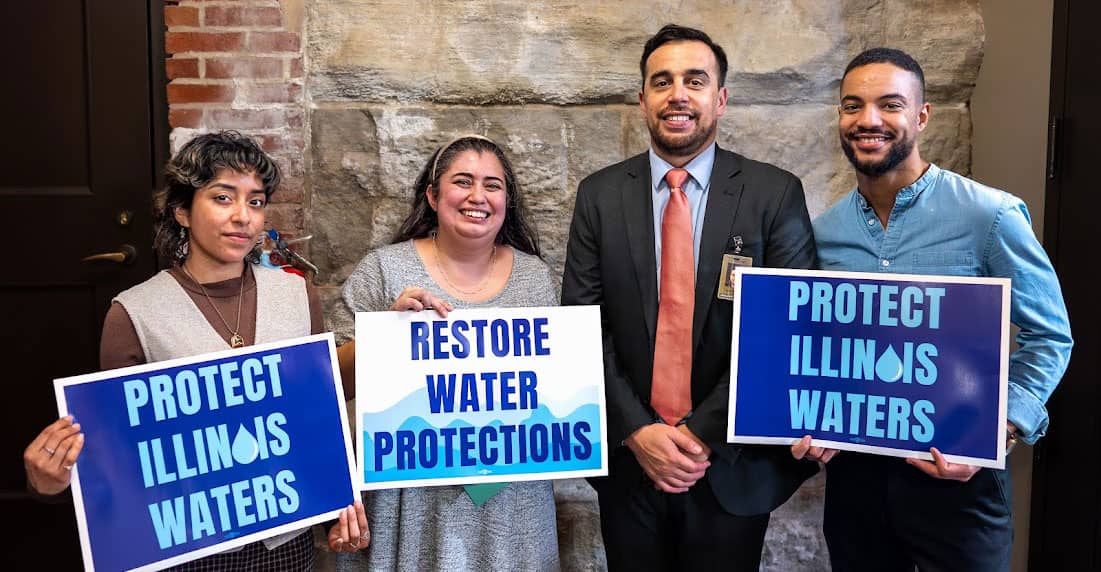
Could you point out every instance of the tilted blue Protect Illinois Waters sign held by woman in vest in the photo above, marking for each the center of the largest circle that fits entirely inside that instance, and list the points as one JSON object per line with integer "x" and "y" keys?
{"x": 192, "y": 457}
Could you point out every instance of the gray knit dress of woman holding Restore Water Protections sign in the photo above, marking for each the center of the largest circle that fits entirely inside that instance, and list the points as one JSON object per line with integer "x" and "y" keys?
{"x": 440, "y": 529}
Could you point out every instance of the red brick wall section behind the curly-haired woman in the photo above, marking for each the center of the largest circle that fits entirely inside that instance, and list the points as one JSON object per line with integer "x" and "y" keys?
{"x": 238, "y": 64}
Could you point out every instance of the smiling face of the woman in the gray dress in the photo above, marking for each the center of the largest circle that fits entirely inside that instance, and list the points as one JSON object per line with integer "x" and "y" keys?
{"x": 472, "y": 200}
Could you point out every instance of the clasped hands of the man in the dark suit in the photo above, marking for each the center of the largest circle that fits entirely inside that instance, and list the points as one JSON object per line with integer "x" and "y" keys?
{"x": 672, "y": 457}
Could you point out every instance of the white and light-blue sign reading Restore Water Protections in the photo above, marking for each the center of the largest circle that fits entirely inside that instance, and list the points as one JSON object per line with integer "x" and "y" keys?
{"x": 483, "y": 397}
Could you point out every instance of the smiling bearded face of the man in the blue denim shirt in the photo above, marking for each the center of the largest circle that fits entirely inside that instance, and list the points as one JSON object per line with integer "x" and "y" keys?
{"x": 881, "y": 114}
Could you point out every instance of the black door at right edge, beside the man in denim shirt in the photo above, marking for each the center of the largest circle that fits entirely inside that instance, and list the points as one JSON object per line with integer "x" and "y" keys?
{"x": 1066, "y": 515}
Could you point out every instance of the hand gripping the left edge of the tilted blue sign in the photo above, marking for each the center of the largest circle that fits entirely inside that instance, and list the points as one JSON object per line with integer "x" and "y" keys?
{"x": 50, "y": 458}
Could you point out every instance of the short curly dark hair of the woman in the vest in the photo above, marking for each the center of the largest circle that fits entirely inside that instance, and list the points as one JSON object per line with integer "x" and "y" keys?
{"x": 198, "y": 163}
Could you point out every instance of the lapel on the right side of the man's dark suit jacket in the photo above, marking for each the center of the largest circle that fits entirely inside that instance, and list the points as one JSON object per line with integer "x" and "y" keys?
{"x": 718, "y": 221}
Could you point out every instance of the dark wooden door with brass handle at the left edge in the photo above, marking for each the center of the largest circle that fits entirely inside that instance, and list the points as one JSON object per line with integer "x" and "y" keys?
{"x": 79, "y": 161}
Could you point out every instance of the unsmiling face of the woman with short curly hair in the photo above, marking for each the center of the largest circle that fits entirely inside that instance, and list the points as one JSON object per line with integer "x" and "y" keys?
{"x": 224, "y": 222}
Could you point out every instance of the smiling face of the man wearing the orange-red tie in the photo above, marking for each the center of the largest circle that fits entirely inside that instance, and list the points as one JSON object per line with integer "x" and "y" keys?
{"x": 682, "y": 100}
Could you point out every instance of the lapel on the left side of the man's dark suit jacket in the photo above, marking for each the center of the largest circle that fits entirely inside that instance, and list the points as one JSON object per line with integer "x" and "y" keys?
{"x": 639, "y": 217}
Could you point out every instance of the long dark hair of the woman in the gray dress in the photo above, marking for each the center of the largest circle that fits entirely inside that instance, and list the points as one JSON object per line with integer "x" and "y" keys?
{"x": 422, "y": 222}
